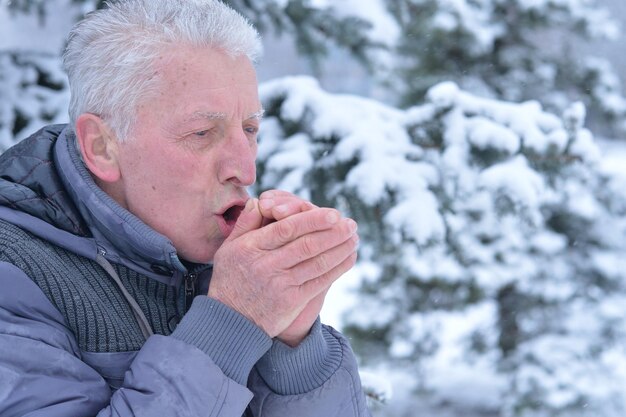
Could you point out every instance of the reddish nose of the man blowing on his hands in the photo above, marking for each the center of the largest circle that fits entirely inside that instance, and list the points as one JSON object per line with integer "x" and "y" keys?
{"x": 238, "y": 164}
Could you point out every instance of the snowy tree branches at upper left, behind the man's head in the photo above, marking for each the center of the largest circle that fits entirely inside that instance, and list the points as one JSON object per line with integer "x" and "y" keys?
{"x": 33, "y": 86}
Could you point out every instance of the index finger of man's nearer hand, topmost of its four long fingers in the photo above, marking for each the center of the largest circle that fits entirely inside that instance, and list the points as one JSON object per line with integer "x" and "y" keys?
{"x": 279, "y": 233}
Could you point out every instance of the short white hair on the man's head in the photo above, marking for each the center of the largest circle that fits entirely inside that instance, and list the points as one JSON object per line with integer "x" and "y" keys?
{"x": 110, "y": 54}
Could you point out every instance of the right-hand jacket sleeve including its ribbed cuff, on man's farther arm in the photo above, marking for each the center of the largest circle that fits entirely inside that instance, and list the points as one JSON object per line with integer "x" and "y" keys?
{"x": 319, "y": 378}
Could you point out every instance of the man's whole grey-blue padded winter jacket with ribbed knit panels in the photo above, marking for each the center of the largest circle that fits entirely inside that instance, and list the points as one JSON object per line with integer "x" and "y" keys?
{"x": 104, "y": 320}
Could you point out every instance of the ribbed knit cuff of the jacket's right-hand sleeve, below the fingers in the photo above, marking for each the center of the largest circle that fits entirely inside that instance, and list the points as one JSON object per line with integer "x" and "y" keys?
{"x": 292, "y": 371}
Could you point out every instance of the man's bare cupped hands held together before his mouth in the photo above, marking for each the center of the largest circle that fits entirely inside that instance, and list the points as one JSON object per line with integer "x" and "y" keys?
{"x": 279, "y": 262}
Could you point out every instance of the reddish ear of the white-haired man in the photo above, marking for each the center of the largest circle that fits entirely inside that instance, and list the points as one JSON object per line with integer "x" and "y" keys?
{"x": 98, "y": 146}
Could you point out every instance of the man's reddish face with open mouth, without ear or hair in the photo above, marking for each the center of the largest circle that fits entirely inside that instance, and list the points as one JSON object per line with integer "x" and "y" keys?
{"x": 191, "y": 155}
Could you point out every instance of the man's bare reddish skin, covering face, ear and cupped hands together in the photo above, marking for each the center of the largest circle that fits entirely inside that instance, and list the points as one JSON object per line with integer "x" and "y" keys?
{"x": 190, "y": 157}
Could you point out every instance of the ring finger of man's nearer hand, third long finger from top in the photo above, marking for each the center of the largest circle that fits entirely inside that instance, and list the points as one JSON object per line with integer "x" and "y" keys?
{"x": 324, "y": 262}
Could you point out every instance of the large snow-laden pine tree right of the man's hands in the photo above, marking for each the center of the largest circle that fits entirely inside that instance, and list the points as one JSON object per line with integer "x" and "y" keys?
{"x": 491, "y": 263}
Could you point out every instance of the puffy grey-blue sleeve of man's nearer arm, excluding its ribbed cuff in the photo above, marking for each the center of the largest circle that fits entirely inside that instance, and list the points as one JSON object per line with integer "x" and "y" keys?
{"x": 42, "y": 374}
